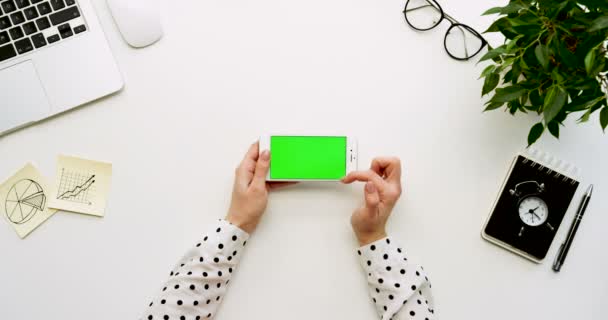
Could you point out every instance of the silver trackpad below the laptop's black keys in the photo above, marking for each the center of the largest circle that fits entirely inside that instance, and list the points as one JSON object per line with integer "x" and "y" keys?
{"x": 22, "y": 98}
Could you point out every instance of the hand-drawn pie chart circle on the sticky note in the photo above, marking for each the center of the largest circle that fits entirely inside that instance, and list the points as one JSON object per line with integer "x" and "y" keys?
{"x": 24, "y": 200}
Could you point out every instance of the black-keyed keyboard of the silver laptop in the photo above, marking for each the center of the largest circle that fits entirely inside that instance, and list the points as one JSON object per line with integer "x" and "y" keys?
{"x": 29, "y": 25}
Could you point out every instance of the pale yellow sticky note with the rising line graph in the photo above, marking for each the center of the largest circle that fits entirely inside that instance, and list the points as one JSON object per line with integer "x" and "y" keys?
{"x": 81, "y": 186}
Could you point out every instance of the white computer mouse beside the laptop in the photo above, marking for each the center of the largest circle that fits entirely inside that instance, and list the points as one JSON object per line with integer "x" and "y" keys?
{"x": 137, "y": 20}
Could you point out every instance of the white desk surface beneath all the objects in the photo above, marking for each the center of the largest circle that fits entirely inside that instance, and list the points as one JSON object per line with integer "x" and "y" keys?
{"x": 227, "y": 71}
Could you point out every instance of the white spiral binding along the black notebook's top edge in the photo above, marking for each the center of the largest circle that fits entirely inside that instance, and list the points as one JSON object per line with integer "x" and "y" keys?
{"x": 553, "y": 166}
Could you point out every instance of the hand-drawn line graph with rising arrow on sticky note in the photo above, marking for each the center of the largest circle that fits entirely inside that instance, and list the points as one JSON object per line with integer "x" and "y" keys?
{"x": 76, "y": 187}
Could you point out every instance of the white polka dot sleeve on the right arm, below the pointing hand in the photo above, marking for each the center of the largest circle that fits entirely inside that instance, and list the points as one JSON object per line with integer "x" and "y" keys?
{"x": 399, "y": 288}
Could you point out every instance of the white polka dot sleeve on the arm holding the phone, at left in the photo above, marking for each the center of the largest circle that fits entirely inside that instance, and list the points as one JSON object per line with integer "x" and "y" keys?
{"x": 198, "y": 282}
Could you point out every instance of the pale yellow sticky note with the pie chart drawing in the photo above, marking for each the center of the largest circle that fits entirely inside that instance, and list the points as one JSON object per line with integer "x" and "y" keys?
{"x": 23, "y": 200}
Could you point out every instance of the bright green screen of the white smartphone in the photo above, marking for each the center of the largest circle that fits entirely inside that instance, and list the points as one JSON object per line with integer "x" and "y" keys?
{"x": 322, "y": 158}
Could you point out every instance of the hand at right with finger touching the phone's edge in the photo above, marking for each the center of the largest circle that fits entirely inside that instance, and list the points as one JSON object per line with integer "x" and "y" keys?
{"x": 382, "y": 190}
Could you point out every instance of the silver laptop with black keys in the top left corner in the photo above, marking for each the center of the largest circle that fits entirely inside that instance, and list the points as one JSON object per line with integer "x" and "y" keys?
{"x": 53, "y": 57}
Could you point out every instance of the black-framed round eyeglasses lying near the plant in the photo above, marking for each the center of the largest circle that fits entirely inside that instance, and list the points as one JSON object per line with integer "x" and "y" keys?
{"x": 461, "y": 42}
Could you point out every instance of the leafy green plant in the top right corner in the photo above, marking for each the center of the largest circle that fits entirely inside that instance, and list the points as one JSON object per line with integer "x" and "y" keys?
{"x": 553, "y": 61}
